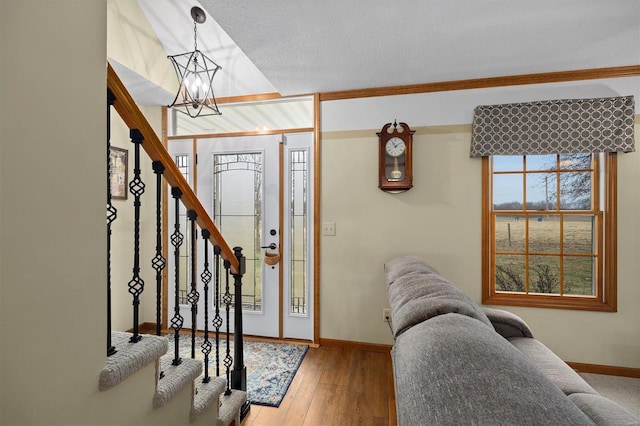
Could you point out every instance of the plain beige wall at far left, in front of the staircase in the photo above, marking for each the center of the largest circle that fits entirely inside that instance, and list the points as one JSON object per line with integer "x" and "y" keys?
{"x": 53, "y": 246}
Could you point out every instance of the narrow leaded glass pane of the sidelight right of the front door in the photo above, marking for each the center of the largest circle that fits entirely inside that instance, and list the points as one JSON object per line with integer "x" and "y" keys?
{"x": 298, "y": 250}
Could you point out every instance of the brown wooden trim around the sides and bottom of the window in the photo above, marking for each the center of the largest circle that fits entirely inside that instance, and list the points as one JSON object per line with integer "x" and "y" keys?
{"x": 607, "y": 302}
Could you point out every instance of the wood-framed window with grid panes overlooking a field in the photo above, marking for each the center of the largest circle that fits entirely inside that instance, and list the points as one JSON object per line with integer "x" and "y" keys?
{"x": 549, "y": 226}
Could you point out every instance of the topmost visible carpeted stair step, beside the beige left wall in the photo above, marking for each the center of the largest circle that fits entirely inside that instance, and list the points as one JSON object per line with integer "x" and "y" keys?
{"x": 130, "y": 357}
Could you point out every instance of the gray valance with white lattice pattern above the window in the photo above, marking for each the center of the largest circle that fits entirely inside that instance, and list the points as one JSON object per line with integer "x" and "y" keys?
{"x": 567, "y": 126}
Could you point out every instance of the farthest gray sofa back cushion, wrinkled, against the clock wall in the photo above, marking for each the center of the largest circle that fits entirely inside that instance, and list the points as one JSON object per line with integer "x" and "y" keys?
{"x": 419, "y": 293}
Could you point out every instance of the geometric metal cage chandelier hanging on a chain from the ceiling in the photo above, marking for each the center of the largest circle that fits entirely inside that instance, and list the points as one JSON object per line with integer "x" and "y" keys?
{"x": 195, "y": 73}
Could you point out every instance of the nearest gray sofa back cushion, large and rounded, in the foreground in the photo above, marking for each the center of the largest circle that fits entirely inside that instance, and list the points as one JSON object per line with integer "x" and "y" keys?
{"x": 454, "y": 370}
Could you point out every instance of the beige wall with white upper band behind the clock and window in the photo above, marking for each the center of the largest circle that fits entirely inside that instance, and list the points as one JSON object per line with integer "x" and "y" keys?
{"x": 439, "y": 219}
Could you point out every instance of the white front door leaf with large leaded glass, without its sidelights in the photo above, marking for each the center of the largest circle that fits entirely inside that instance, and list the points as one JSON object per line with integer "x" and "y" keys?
{"x": 238, "y": 184}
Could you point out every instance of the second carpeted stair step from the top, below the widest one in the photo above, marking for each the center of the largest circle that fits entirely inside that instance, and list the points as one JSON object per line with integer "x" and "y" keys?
{"x": 175, "y": 378}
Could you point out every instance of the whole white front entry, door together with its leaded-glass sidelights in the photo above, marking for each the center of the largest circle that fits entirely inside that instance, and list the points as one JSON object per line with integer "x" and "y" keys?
{"x": 259, "y": 192}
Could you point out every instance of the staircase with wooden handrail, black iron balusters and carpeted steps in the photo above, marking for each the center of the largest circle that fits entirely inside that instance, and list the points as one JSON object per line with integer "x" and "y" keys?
{"x": 211, "y": 400}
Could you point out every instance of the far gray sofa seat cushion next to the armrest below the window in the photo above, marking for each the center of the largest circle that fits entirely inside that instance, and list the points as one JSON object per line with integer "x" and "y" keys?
{"x": 552, "y": 366}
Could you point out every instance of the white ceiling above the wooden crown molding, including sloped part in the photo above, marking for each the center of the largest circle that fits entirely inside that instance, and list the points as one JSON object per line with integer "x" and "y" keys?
{"x": 309, "y": 46}
